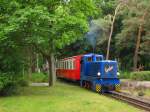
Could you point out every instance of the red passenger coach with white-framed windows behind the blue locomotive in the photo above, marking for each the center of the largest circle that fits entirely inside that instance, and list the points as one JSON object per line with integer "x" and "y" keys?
{"x": 69, "y": 68}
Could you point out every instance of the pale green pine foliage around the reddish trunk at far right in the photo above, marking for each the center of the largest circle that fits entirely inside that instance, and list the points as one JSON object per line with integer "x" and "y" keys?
{"x": 126, "y": 39}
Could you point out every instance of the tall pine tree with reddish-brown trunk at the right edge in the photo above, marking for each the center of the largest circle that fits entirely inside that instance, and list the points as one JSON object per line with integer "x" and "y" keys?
{"x": 135, "y": 31}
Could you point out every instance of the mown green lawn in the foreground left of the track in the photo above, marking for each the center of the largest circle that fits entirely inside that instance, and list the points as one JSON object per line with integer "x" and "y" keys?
{"x": 61, "y": 98}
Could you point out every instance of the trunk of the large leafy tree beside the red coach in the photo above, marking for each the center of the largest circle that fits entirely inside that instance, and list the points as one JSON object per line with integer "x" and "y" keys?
{"x": 51, "y": 70}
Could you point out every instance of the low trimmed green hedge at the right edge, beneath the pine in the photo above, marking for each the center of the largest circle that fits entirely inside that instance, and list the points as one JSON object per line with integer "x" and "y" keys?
{"x": 142, "y": 75}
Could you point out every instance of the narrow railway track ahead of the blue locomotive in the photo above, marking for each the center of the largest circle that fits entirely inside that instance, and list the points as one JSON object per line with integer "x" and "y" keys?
{"x": 138, "y": 102}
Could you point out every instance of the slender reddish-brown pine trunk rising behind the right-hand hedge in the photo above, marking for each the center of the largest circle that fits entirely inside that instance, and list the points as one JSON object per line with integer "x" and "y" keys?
{"x": 135, "y": 58}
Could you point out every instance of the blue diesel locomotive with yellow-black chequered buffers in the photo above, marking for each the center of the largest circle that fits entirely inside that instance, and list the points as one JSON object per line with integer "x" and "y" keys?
{"x": 99, "y": 74}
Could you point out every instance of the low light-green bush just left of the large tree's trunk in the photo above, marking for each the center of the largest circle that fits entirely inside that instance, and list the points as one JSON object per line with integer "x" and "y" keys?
{"x": 39, "y": 77}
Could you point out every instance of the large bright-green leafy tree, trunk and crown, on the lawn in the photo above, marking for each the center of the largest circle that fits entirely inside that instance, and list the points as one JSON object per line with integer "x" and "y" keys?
{"x": 48, "y": 25}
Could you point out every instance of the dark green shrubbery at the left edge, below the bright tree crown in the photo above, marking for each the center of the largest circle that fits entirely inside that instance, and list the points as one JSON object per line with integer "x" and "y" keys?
{"x": 10, "y": 67}
